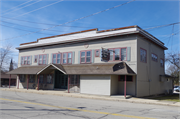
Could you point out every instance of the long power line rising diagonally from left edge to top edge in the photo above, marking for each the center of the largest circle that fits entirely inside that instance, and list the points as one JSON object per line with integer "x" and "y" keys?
{"x": 73, "y": 20}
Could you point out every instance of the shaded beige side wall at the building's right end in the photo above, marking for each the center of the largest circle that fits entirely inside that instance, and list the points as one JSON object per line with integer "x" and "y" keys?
{"x": 148, "y": 73}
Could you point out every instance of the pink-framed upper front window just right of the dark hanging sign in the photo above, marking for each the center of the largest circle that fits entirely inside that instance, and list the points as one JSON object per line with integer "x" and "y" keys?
{"x": 117, "y": 54}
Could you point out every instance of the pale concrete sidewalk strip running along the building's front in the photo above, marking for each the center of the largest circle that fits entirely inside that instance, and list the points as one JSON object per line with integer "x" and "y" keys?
{"x": 110, "y": 98}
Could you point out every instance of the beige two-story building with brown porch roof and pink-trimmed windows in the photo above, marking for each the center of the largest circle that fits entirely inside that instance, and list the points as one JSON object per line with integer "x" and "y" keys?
{"x": 74, "y": 61}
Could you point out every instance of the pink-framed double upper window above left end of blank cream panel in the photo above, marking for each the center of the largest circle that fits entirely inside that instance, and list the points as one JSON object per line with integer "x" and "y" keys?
{"x": 85, "y": 56}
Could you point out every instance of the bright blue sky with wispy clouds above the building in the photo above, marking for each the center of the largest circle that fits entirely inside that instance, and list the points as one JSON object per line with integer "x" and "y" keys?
{"x": 145, "y": 14}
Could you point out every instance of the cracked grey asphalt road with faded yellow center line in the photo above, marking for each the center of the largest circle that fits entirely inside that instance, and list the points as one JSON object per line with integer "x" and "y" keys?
{"x": 17, "y": 105}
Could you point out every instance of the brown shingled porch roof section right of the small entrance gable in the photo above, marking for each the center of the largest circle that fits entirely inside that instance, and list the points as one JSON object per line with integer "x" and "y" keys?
{"x": 99, "y": 68}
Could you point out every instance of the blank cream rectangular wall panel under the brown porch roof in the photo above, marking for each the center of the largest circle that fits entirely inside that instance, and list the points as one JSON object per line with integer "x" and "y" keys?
{"x": 95, "y": 84}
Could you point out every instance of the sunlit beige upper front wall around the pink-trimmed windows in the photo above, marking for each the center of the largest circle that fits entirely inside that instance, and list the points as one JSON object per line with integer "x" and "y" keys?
{"x": 115, "y": 42}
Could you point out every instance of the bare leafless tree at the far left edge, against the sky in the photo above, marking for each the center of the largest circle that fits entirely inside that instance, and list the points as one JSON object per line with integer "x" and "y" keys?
{"x": 5, "y": 55}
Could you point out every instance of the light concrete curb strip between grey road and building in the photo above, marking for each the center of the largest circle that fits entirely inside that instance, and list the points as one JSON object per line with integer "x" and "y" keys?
{"x": 141, "y": 101}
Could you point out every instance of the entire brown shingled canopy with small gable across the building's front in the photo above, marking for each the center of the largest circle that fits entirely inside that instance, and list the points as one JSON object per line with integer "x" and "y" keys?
{"x": 78, "y": 69}
